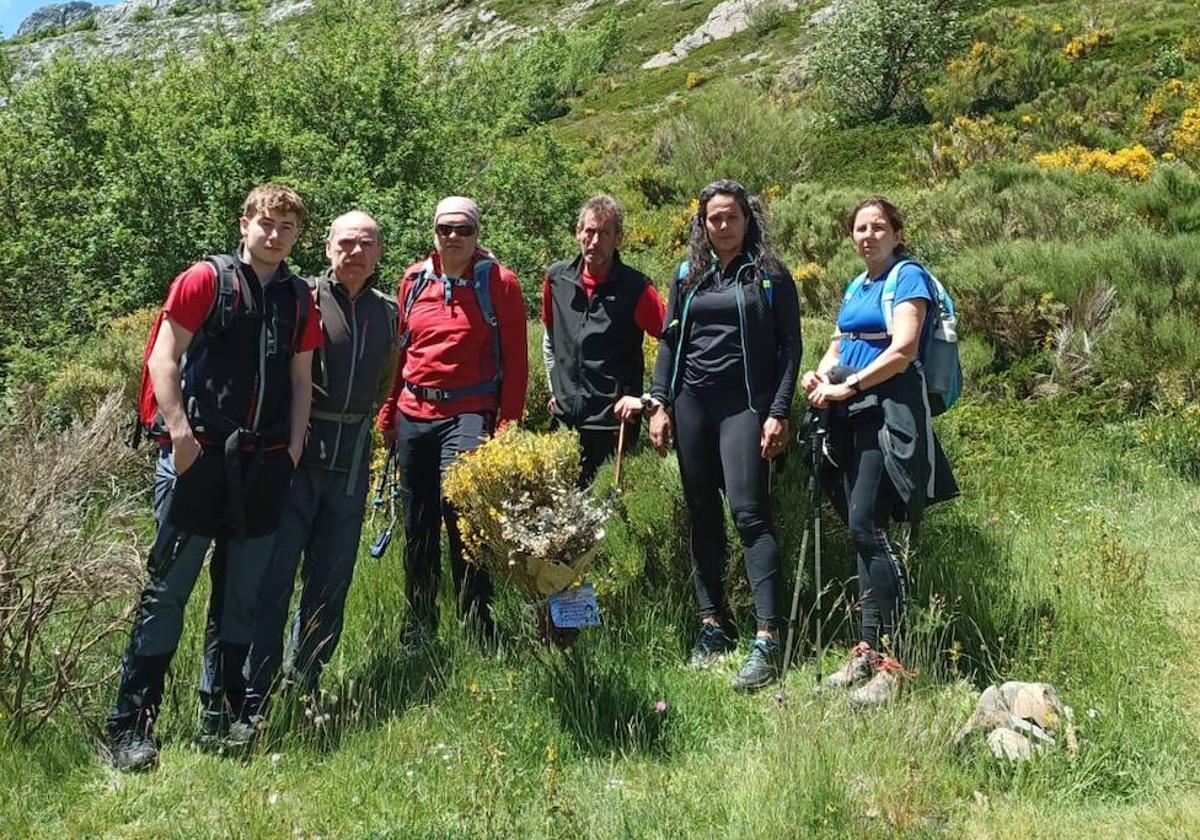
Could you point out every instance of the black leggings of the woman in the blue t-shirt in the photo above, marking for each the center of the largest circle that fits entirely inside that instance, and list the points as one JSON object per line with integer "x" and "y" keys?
{"x": 873, "y": 499}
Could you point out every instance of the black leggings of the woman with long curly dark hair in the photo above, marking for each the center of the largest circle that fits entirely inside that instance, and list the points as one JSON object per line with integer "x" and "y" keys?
{"x": 719, "y": 447}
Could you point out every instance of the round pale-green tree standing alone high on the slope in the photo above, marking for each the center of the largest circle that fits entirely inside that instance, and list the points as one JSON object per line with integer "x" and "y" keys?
{"x": 873, "y": 56}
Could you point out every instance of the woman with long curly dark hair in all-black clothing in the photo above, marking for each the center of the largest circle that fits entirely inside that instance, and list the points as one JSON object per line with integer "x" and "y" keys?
{"x": 723, "y": 389}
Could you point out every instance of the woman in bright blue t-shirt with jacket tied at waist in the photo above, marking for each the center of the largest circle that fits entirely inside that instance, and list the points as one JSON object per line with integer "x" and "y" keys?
{"x": 885, "y": 461}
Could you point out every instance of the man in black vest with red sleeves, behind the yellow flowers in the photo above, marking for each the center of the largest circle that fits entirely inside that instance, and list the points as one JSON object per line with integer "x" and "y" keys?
{"x": 597, "y": 311}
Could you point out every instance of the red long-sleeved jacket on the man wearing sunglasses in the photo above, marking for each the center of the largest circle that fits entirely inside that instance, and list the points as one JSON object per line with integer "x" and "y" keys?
{"x": 451, "y": 347}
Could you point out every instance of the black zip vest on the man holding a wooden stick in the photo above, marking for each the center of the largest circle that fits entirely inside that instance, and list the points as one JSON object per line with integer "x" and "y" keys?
{"x": 597, "y": 346}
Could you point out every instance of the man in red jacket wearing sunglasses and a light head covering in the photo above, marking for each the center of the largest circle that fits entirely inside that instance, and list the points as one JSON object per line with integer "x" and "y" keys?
{"x": 464, "y": 369}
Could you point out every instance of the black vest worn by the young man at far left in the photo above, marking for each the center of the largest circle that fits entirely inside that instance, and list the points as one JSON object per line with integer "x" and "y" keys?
{"x": 238, "y": 377}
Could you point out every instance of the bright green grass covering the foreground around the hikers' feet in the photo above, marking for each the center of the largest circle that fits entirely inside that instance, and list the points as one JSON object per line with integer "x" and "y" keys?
{"x": 535, "y": 743}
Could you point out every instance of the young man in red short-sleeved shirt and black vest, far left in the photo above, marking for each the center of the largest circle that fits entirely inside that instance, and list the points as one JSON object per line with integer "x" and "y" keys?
{"x": 231, "y": 423}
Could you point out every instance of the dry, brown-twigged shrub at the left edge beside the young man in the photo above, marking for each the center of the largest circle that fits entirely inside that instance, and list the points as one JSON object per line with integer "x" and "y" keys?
{"x": 68, "y": 557}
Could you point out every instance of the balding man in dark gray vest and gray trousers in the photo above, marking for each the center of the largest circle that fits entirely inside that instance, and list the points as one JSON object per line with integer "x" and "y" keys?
{"x": 323, "y": 518}
